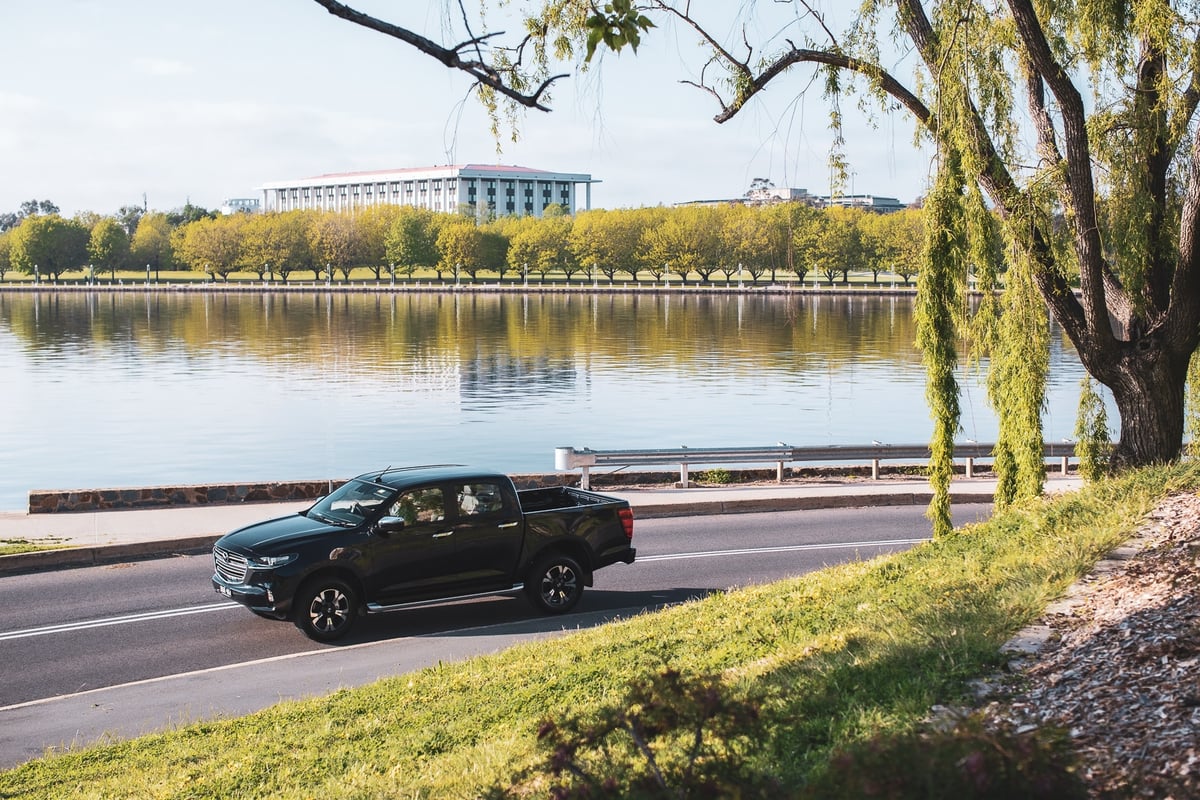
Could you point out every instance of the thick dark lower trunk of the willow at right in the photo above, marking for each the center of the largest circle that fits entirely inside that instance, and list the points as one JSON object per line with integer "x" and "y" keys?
{"x": 1148, "y": 386}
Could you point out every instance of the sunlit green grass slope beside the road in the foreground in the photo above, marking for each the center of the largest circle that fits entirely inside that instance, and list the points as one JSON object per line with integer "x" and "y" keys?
{"x": 832, "y": 658}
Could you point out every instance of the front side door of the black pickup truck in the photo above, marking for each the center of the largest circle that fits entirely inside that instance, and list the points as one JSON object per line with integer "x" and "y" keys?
{"x": 419, "y": 560}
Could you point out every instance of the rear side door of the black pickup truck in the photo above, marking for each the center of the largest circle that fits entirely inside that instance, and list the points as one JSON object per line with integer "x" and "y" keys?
{"x": 489, "y": 531}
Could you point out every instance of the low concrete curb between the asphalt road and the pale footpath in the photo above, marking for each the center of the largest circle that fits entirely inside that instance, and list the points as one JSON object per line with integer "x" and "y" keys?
{"x": 95, "y": 556}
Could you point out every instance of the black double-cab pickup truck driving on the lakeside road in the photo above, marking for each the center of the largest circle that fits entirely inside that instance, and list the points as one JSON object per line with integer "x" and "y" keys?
{"x": 404, "y": 538}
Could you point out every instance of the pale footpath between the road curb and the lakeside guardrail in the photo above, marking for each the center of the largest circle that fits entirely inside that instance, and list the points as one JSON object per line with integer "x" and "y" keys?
{"x": 82, "y": 539}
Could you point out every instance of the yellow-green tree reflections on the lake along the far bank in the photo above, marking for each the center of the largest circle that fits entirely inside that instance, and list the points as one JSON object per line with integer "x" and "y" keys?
{"x": 489, "y": 339}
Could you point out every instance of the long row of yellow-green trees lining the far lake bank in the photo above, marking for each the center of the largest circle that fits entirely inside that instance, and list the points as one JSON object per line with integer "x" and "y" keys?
{"x": 698, "y": 243}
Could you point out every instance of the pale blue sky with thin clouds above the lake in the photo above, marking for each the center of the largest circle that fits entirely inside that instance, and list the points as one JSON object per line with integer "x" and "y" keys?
{"x": 163, "y": 103}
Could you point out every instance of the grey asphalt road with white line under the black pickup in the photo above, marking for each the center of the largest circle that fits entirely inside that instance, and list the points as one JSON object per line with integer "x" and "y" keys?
{"x": 135, "y": 648}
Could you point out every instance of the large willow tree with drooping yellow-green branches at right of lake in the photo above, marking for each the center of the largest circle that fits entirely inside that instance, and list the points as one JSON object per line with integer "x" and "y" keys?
{"x": 1071, "y": 124}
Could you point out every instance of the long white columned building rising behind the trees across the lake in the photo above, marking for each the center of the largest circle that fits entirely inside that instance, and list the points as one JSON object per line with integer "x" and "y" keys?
{"x": 488, "y": 189}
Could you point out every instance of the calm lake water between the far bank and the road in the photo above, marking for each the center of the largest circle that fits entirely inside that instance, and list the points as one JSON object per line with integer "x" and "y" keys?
{"x": 146, "y": 389}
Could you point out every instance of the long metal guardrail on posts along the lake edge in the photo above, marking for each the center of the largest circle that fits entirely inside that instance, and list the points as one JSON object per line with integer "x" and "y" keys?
{"x": 569, "y": 459}
